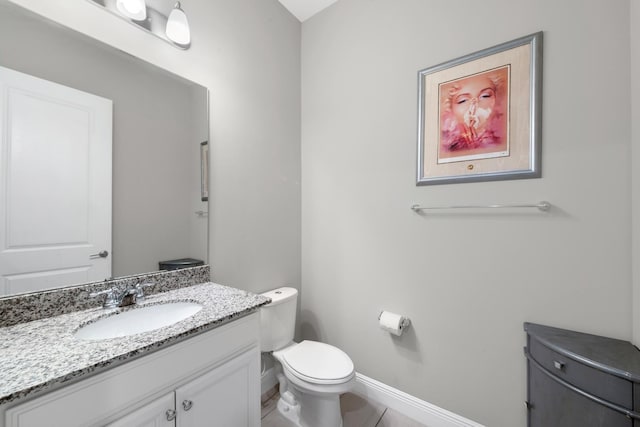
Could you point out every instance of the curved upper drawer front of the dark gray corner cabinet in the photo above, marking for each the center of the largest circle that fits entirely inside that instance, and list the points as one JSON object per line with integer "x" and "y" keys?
{"x": 598, "y": 383}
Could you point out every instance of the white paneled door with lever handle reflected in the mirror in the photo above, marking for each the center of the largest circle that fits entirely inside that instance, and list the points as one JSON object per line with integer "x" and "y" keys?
{"x": 55, "y": 184}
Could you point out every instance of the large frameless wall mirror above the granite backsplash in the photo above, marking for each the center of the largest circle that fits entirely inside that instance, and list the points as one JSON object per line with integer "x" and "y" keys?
{"x": 157, "y": 211}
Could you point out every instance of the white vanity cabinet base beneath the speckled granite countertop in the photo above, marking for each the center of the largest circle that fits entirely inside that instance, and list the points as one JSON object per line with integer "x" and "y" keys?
{"x": 209, "y": 380}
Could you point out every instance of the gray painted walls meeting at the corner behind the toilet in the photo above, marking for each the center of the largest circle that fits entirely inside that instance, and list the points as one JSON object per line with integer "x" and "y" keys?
{"x": 467, "y": 281}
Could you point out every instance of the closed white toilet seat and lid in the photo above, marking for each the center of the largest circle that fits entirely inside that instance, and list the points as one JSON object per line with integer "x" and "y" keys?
{"x": 317, "y": 363}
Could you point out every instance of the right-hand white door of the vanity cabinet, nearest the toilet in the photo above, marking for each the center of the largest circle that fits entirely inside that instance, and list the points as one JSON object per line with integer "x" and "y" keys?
{"x": 226, "y": 396}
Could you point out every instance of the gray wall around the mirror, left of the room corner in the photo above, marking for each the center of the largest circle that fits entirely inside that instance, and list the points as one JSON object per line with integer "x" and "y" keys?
{"x": 247, "y": 53}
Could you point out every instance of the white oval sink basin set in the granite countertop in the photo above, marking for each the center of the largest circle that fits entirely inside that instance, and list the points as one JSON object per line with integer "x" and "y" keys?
{"x": 138, "y": 320}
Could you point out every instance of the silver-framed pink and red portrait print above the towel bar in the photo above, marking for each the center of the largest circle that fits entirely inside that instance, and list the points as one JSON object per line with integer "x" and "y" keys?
{"x": 479, "y": 116}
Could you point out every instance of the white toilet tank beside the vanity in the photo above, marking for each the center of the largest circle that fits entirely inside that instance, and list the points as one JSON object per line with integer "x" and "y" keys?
{"x": 278, "y": 318}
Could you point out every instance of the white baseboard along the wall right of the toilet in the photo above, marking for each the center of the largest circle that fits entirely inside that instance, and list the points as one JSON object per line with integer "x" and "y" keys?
{"x": 410, "y": 406}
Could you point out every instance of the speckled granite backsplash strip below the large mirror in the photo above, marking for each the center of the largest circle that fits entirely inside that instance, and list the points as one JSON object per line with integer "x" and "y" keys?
{"x": 39, "y": 305}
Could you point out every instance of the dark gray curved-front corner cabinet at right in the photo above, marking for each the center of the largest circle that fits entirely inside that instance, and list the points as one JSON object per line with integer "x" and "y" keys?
{"x": 580, "y": 380}
